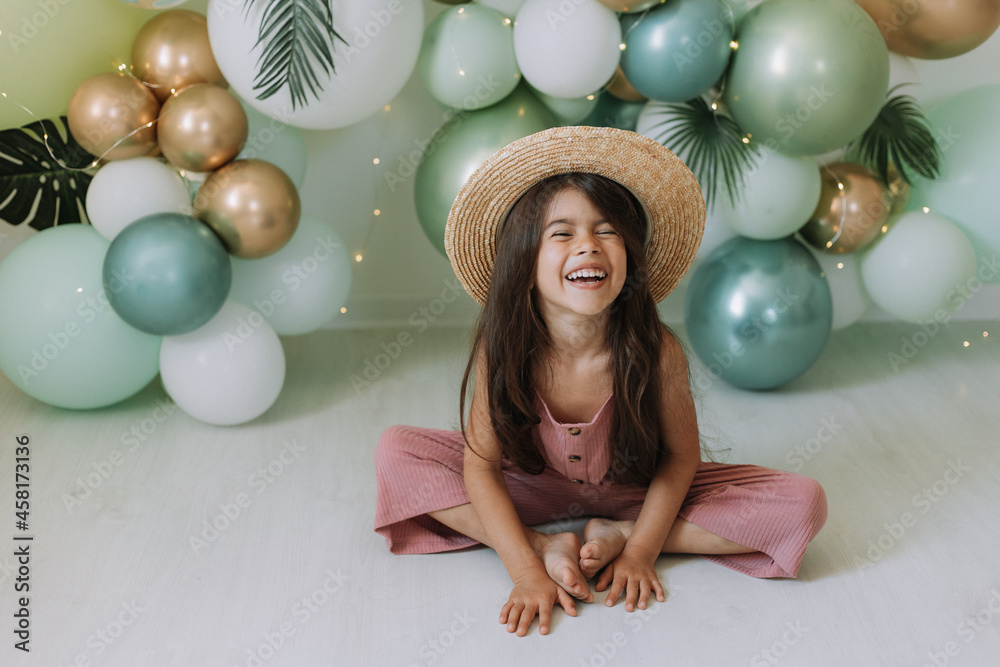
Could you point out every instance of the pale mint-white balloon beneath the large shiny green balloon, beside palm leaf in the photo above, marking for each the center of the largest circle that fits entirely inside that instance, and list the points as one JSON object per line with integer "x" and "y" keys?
{"x": 779, "y": 194}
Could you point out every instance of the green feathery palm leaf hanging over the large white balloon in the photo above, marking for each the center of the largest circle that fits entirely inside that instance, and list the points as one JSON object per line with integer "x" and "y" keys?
{"x": 298, "y": 38}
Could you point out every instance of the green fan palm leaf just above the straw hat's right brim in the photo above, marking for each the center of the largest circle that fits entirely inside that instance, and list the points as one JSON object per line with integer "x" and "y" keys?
{"x": 710, "y": 143}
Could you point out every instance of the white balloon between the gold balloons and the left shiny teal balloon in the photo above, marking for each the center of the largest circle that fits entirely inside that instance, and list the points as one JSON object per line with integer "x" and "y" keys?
{"x": 122, "y": 191}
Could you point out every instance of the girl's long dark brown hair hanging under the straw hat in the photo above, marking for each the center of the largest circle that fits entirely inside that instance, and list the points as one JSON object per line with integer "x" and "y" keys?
{"x": 513, "y": 337}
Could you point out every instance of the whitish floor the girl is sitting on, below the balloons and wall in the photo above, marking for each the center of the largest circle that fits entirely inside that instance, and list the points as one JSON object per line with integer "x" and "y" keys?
{"x": 126, "y": 569}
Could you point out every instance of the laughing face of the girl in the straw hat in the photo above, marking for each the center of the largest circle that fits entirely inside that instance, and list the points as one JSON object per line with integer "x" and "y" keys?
{"x": 581, "y": 259}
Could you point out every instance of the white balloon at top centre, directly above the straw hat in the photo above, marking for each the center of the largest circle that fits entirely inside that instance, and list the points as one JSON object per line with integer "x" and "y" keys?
{"x": 567, "y": 48}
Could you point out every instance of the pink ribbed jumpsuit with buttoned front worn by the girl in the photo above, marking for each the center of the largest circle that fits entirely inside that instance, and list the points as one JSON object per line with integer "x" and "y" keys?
{"x": 419, "y": 470}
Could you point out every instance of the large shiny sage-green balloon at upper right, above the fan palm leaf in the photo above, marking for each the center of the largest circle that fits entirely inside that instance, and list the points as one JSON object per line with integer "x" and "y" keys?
{"x": 808, "y": 76}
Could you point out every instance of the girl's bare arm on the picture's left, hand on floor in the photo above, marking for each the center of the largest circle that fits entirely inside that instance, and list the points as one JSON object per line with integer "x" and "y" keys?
{"x": 534, "y": 591}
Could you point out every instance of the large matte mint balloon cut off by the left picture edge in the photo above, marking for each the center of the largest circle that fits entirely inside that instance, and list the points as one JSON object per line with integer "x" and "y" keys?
{"x": 60, "y": 341}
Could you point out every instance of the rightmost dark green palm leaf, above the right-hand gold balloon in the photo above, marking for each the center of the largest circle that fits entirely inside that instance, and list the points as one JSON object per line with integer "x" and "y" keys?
{"x": 900, "y": 136}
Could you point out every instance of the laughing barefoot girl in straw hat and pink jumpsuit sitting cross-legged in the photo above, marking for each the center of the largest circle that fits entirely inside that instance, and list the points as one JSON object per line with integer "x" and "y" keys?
{"x": 581, "y": 403}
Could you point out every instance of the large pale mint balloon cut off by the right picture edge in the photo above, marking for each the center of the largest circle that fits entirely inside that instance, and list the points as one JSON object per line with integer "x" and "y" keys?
{"x": 965, "y": 191}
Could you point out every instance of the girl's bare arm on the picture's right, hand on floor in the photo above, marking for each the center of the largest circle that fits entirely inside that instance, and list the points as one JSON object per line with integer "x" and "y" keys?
{"x": 633, "y": 570}
